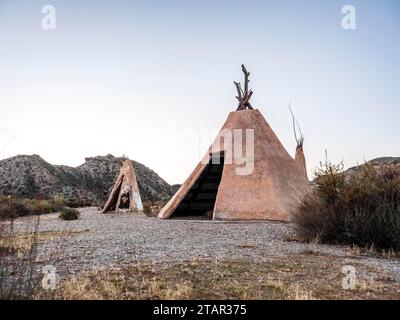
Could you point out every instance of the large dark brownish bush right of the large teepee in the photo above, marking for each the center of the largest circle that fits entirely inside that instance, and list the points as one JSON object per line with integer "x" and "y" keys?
{"x": 361, "y": 207}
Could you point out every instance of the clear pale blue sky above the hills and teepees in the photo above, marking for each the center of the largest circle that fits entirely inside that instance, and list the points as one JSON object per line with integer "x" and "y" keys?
{"x": 153, "y": 79}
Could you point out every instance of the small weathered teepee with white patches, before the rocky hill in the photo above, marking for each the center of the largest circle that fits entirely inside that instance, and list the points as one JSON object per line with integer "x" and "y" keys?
{"x": 125, "y": 189}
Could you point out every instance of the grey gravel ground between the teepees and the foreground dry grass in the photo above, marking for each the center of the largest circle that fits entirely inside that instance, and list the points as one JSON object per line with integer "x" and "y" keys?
{"x": 101, "y": 240}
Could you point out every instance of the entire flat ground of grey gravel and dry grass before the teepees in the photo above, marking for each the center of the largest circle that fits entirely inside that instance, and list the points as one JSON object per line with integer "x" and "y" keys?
{"x": 132, "y": 256}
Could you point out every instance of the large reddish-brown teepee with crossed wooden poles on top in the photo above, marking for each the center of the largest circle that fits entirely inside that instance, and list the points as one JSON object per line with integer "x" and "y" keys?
{"x": 219, "y": 189}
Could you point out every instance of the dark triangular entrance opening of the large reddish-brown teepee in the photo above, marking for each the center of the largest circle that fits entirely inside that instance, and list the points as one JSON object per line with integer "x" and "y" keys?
{"x": 200, "y": 200}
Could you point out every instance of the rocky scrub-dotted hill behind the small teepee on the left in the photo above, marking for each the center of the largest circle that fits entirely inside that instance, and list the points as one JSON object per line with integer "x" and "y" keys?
{"x": 89, "y": 183}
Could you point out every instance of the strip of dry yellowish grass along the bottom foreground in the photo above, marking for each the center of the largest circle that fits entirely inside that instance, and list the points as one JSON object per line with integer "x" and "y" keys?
{"x": 291, "y": 278}
